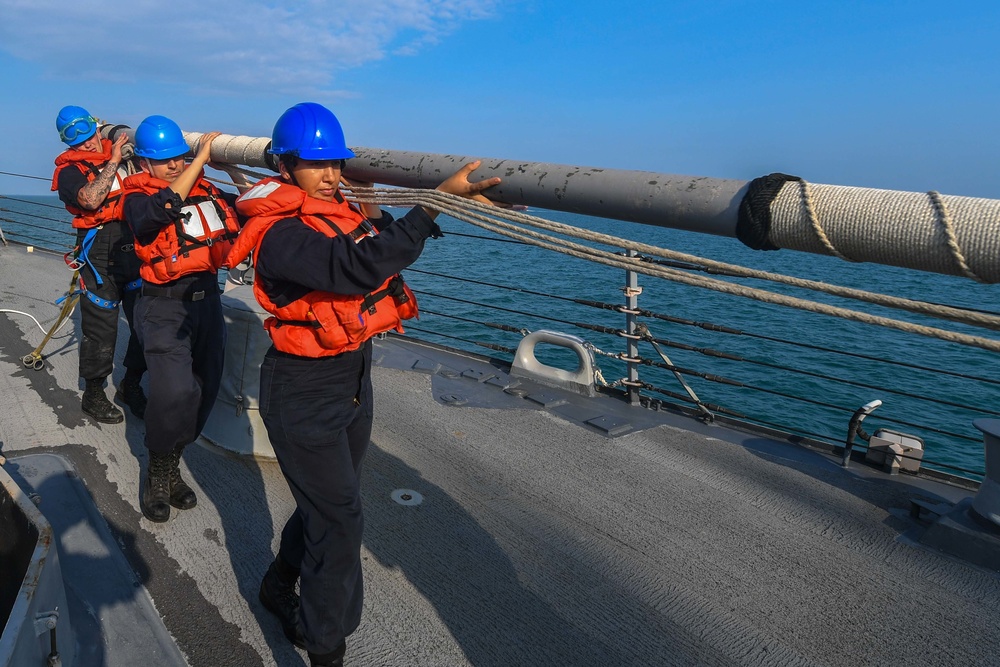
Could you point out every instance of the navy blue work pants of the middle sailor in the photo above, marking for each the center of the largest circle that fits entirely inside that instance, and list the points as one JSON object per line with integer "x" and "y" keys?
{"x": 185, "y": 347}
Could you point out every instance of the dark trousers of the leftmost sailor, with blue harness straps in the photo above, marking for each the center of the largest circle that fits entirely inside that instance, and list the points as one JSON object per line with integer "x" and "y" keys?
{"x": 113, "y": 256}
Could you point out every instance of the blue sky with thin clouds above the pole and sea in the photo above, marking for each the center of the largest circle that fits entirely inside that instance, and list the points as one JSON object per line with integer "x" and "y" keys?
{"x": 892, "y": 94}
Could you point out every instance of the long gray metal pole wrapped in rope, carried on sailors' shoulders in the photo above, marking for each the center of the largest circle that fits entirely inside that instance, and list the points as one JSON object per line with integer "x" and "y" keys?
{"x": 925, "y": 231}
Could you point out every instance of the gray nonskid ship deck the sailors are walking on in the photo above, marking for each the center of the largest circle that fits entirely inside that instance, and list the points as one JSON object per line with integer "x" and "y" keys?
{"x": 538, "y": 541}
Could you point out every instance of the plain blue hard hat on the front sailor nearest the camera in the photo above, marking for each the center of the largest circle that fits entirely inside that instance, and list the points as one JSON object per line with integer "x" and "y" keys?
{"x": 311, "y": 132}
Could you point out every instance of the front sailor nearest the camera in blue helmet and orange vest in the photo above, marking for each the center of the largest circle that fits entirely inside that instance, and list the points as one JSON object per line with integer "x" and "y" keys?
{"x": 328, "y": 273}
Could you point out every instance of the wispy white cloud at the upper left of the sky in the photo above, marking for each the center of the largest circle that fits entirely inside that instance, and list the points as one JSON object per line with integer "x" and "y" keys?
{"x": 226, "y": 45}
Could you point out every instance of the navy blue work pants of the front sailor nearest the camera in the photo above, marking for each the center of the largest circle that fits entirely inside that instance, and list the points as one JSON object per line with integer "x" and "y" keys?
{"x": 318, "y": 415}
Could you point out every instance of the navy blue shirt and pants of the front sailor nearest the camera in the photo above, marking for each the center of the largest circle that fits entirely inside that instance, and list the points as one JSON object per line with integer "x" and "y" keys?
{"x": 318, "y": 413}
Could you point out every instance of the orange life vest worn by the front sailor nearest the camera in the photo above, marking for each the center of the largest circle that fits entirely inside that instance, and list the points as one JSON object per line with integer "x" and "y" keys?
{"x": 320, "y": 324}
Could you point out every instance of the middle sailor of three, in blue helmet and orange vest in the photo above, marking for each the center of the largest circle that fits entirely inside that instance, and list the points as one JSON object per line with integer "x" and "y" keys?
{"x": 183, "y": 228}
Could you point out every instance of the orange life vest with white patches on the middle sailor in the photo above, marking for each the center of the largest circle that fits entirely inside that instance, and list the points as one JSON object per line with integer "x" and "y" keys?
{"x": 198, "y": 241}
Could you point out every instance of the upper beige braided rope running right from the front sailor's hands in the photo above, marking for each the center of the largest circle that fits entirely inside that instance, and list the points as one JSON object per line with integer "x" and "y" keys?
{"x": 405, "y": 196}
